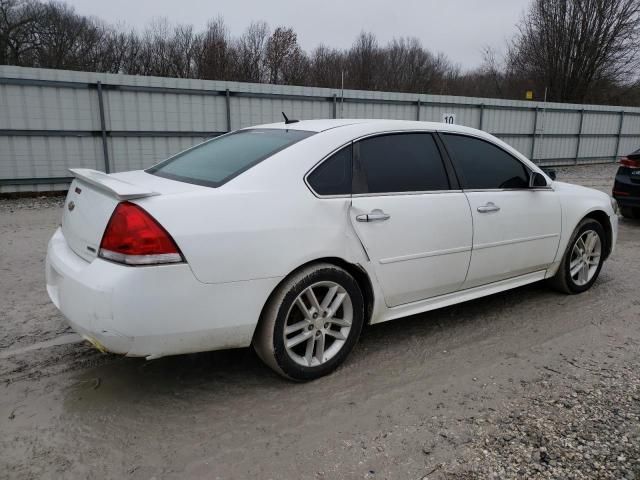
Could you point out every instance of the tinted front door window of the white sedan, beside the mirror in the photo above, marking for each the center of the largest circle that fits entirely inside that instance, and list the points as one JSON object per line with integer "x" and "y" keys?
{"x": 483, "y": 165}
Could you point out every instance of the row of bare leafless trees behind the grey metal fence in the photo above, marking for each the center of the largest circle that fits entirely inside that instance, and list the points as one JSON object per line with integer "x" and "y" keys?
{"x": 583, "y": 51}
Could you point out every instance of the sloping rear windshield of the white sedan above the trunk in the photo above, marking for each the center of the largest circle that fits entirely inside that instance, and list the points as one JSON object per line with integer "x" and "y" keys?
{"x": 218, "y": 160}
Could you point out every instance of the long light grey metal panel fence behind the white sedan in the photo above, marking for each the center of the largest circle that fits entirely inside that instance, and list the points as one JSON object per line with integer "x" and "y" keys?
{"x": 53, "y": 120}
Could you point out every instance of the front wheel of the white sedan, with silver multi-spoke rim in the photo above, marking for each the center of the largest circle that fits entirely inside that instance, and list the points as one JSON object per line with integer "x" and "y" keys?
{"x": 583, "y": 259}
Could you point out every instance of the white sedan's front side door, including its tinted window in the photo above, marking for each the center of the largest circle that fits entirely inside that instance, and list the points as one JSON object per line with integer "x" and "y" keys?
{"x": 516, "y": 229}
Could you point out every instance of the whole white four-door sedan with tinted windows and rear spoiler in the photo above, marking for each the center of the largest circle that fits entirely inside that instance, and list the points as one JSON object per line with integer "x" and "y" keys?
{"x": 291, "y": 236}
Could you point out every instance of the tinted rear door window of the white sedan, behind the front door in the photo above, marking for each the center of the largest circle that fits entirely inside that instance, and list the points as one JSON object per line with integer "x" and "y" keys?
{"x": 406, "y": 162}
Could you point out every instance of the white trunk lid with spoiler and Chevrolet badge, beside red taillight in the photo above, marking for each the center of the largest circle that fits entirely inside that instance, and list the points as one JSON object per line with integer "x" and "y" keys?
{"x": 92, "y": 198}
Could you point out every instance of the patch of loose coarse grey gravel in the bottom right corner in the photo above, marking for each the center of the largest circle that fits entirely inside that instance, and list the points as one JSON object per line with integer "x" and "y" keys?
{"x": 585, "y": 426}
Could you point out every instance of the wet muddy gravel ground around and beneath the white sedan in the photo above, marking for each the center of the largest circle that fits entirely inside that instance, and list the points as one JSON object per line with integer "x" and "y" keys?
{"x": 522, "y": 384}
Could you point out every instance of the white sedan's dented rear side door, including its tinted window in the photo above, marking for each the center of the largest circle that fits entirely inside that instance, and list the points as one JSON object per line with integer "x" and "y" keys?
{"x": 413, "y": 222}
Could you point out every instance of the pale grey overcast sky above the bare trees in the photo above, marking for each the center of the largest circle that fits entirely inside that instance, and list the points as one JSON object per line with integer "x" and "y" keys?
{"x": 459, "y": 28}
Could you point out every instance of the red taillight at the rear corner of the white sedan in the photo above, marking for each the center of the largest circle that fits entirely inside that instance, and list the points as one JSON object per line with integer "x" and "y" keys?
{"x": 134, "y": 237}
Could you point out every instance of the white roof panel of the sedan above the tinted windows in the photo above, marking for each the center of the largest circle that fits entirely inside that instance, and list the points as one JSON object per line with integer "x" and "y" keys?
{"x": 322, "y": 125}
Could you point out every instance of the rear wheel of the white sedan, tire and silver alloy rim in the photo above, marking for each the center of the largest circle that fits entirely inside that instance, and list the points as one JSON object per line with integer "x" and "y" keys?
{"x": 311, "y": 322}
